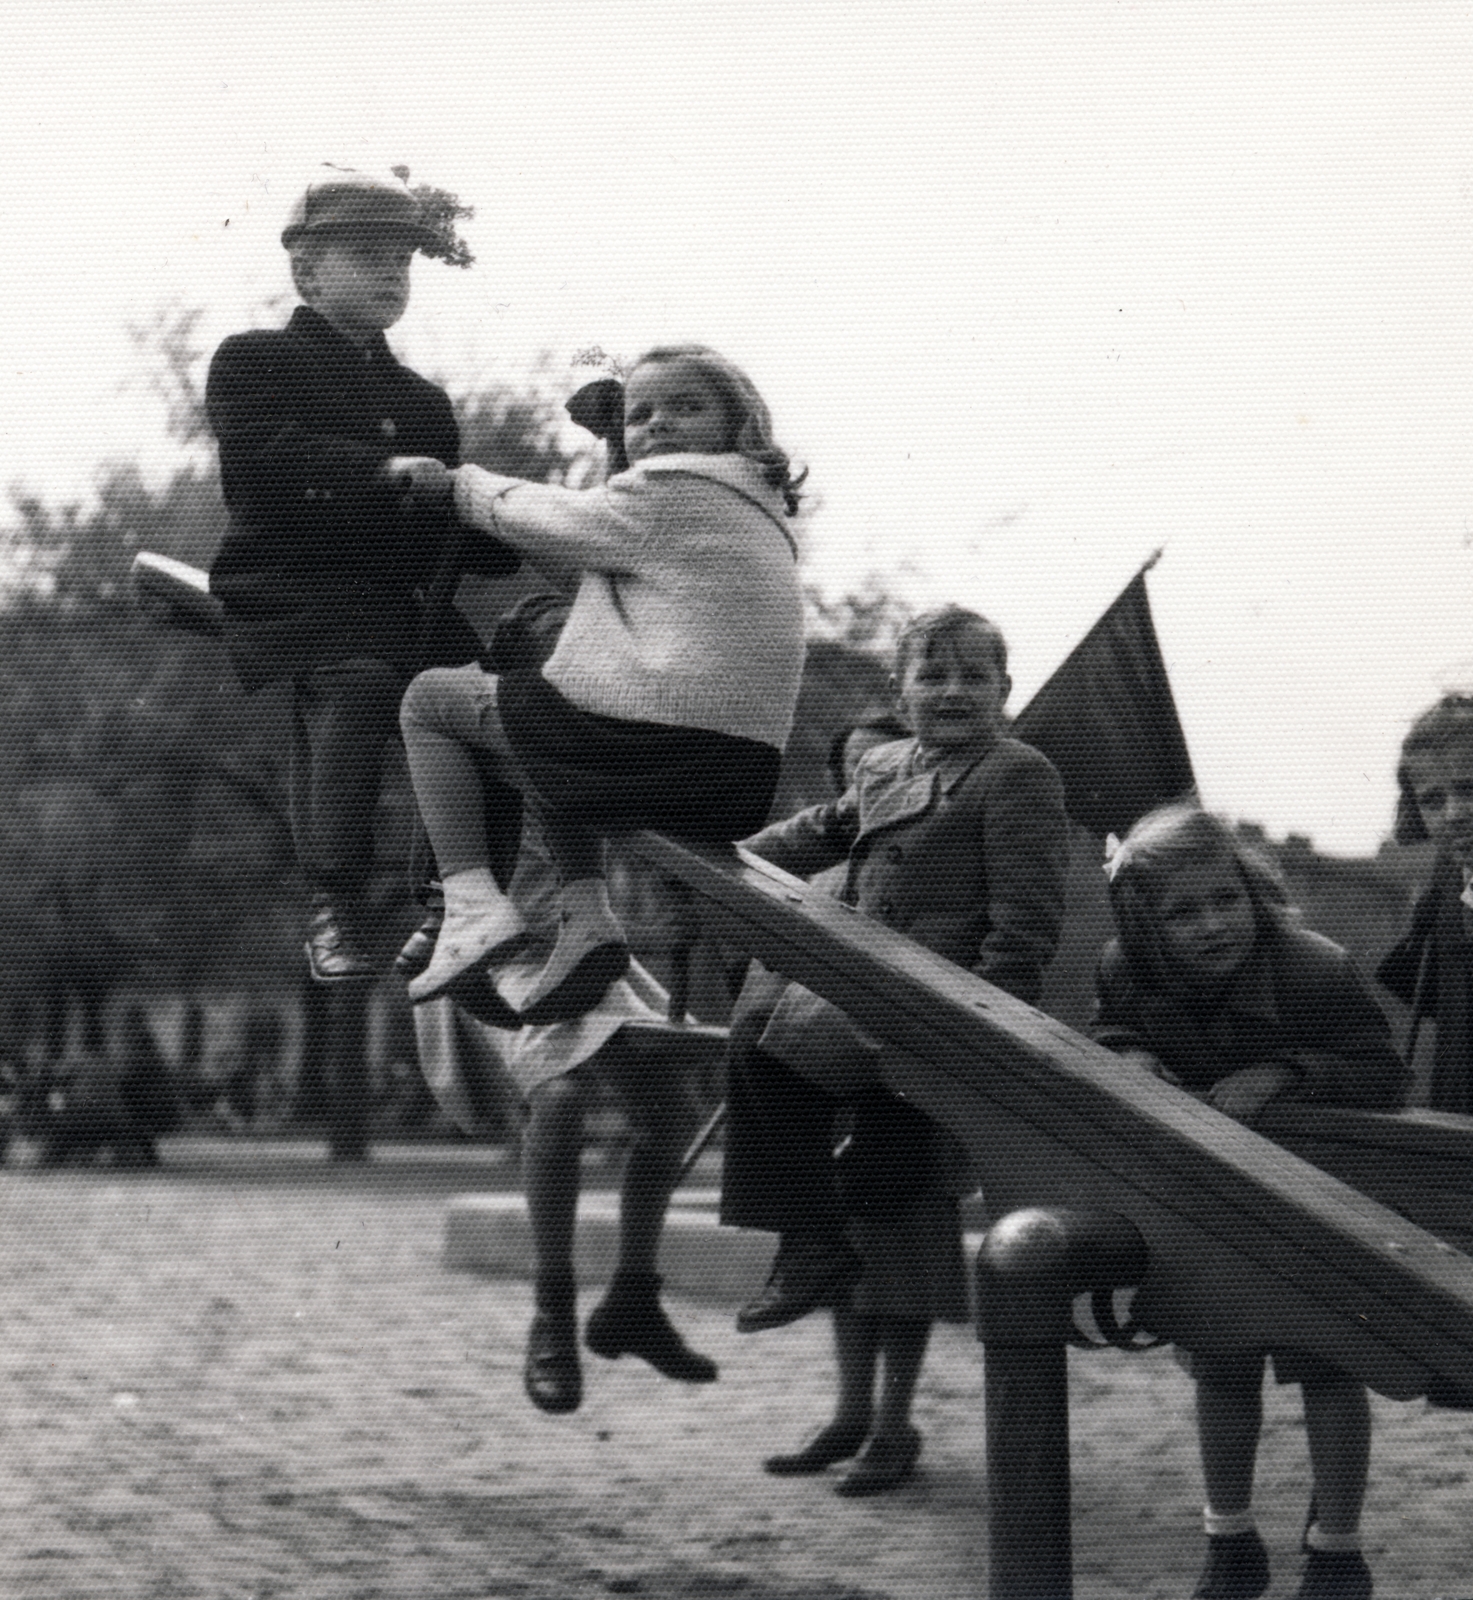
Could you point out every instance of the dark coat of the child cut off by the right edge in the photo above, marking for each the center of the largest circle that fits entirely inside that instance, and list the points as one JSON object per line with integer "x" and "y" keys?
{"x": 1447, "y": 985}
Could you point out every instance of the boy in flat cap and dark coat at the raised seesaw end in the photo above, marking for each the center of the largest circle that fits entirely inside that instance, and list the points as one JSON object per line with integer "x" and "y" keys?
{"x": 333, "y": 534}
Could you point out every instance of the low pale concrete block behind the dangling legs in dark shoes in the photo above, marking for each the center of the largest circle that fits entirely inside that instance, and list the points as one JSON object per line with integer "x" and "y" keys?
{"x": 698, "y": 1257}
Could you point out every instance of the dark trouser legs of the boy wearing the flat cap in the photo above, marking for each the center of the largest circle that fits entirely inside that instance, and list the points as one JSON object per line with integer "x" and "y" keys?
{"x": 343, "y": 718}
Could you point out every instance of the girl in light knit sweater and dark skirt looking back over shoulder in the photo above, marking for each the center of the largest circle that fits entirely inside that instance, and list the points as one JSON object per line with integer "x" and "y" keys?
{"x": 668, "y": 698}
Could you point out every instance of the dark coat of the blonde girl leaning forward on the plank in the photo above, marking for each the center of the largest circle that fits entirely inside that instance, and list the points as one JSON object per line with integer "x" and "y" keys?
{"x": 1298, "y": 1002}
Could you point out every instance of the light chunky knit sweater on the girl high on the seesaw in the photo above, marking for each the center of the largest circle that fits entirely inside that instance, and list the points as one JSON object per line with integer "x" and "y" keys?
{"x": 689, "y": 609}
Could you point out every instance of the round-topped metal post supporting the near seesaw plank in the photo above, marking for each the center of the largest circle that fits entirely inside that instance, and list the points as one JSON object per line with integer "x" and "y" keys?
{"x": 1031, "y": 1268}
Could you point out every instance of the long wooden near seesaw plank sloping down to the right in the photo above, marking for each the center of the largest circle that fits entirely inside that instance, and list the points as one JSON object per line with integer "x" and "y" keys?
{"x": 1248, "y": 1242}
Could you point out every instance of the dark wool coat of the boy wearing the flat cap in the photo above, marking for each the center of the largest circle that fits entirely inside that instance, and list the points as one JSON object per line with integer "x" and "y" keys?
{"x": 319, "y": 562}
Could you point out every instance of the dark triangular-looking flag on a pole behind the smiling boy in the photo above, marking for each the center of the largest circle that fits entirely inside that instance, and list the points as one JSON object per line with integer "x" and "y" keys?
{"x": 1108, "y": 721}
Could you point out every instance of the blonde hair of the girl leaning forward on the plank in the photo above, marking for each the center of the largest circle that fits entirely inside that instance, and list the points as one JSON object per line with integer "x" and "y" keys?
{"x": 1162, "y": 844}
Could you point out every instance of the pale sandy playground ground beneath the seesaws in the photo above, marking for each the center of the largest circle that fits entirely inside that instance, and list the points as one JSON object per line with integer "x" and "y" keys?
{"x": 245, "y": 1378}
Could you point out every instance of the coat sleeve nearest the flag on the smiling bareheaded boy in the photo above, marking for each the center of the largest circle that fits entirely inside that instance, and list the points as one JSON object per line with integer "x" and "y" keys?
{"x": 1026, "y": 852}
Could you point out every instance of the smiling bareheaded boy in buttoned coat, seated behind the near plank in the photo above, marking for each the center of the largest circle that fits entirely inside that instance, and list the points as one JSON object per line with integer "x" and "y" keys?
{"x": 956, "y": 838}
